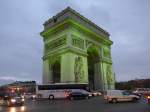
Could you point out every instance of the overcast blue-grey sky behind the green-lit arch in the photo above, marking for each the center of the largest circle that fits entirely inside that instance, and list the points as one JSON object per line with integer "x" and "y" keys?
{"x": 21, "y": 46}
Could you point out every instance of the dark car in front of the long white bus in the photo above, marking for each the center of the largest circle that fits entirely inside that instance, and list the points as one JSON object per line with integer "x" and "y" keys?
{"x": 79, "y": 94}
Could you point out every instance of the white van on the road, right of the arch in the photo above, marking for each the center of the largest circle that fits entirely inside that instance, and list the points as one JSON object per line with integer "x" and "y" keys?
{"x": 119, "y": 95}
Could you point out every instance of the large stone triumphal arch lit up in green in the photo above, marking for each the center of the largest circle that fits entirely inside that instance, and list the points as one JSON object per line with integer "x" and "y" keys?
{"x": 76, "y": 51}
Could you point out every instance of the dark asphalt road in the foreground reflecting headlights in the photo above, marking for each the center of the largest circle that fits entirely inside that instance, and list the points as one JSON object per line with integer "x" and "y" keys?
{"x": 96, "y": 104}
